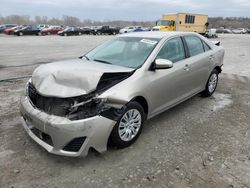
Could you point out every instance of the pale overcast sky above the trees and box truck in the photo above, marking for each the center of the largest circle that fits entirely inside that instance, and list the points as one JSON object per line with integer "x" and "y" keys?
{"x": 139, "y": 10}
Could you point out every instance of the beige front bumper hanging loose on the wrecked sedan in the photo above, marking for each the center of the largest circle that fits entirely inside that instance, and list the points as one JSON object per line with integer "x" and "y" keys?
{"x": 61, "y": 131}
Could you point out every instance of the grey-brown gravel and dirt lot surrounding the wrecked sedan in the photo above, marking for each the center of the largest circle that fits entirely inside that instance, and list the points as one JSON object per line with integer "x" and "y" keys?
{"x": 203, "y": 142}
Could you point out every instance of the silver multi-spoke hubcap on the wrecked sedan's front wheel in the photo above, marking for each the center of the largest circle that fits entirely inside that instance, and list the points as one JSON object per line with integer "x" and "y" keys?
{"x": 129, "y": 125}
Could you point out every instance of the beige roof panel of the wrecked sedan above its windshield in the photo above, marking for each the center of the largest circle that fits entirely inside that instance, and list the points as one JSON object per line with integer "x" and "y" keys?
{"x": 156, "y": 34}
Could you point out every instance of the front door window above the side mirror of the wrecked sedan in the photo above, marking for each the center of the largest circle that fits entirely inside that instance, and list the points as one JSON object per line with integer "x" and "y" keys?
{"x": 173, "y": 50}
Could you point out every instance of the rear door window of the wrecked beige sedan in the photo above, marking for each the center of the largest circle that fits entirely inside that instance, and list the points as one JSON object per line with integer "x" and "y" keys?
{"x": 194, "y": 45}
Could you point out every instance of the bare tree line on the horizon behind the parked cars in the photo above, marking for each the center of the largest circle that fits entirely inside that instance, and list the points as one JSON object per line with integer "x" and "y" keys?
{"x": 214, "y": 22}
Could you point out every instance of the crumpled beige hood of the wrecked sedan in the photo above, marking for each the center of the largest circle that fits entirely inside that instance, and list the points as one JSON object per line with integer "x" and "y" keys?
{"x": 71, "y": 78}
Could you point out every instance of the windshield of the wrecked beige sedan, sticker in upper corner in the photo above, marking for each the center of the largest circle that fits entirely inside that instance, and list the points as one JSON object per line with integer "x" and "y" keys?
{"x": 123, "y": 51}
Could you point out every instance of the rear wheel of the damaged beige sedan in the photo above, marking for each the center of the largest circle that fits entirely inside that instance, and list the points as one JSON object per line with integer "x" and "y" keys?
{"x": 211, "y": 84}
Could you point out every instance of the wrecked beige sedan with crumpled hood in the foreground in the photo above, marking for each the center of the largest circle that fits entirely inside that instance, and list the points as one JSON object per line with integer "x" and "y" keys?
{"x": 106, "y": 95}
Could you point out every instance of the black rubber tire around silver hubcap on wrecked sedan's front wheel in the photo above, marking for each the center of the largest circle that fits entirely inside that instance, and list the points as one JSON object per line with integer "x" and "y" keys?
{"x": 115, "y": 138}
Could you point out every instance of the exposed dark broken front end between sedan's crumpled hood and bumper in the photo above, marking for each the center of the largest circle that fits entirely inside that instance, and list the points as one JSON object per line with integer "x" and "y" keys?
{"x": 81, "y": 107}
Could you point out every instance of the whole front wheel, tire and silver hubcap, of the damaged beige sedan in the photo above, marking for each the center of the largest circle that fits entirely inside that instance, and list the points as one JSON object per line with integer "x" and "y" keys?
{"x": 129, "y": 126}
